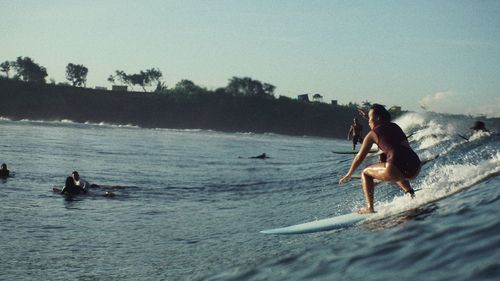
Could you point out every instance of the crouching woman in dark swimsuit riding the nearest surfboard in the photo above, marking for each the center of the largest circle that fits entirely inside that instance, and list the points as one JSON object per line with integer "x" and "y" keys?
{"x": 401, "y": 163}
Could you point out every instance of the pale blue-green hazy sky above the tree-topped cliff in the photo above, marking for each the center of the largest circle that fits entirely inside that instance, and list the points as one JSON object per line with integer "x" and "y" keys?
{"x": 443, "y": 56}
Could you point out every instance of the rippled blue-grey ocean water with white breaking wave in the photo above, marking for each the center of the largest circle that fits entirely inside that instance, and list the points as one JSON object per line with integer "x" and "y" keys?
{"x": 189, "y": 205}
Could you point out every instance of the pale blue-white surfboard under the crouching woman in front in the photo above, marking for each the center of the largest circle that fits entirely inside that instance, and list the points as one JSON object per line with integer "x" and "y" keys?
{"x": 320, "y": 225}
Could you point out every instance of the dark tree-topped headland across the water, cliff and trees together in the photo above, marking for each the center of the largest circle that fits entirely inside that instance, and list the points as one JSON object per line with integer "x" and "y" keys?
{"x": 244, "y": 104}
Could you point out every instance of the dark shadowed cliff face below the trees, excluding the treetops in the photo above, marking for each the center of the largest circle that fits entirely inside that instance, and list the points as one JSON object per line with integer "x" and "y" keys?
{"x": 215, "y": 110}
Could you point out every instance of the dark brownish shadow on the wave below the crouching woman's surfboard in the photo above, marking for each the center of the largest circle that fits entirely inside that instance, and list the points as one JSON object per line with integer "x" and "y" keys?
{"x": 411, "y": 215}
